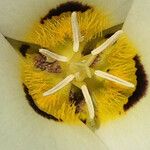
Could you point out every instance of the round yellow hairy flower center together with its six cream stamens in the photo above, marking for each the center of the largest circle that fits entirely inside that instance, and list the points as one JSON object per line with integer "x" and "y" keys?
{"x": 100, "y": 82}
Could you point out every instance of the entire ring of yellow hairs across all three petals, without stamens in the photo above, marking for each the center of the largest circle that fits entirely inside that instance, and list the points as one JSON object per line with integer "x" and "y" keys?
{"x": 56, "y": 34}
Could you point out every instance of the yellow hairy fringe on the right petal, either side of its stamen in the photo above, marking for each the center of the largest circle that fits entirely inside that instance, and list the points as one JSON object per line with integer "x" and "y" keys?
{"x": 111, "y": 97}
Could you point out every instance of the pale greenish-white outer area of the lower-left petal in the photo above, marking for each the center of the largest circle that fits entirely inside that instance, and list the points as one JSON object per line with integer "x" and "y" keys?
{"x": 21, "y": 128}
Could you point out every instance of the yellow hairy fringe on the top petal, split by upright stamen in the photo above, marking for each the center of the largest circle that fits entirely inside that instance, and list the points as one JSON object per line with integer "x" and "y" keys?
{"x": 55, "y": 31}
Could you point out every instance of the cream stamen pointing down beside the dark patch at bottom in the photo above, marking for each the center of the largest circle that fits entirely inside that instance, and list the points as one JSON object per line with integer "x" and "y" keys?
{"x": 88, "y": 101}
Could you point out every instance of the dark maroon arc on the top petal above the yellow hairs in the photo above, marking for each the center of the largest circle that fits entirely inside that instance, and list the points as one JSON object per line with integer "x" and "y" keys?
{"x": 65, "y": 7}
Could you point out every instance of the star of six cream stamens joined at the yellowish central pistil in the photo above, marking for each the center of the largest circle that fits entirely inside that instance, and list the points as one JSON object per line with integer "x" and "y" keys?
{"x": 79, "y": 66}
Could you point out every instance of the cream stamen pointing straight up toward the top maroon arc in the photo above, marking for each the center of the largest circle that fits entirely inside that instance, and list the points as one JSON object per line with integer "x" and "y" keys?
{"x": 75, "y": 31}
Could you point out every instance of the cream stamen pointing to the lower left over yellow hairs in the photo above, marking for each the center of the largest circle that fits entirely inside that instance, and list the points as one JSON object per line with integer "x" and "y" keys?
{"x": 60, "y": 85}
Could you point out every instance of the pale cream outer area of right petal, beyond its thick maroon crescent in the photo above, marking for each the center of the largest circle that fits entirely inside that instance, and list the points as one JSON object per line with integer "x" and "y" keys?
{"x": 132, "y": 132}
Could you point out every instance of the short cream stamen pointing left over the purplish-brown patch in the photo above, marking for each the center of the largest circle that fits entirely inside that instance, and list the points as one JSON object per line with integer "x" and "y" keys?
{"x": 47, "y": 53}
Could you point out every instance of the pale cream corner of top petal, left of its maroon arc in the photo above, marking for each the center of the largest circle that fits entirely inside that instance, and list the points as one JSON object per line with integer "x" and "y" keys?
{"x": 17, "y": 17}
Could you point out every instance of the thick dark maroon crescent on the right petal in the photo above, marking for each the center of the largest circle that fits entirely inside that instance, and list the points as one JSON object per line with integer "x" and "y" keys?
{"x": 142, "y": 84}
